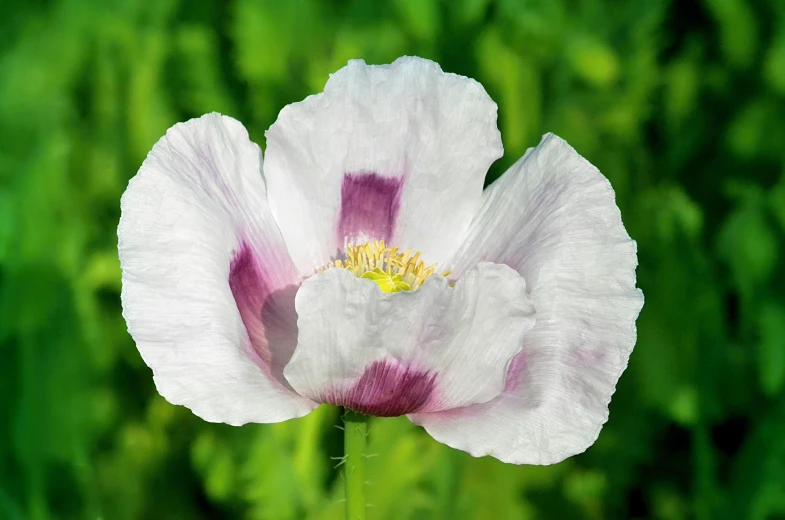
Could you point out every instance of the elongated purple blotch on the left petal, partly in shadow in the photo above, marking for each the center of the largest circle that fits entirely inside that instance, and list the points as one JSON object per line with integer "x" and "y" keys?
{"x": 269, "y": 316}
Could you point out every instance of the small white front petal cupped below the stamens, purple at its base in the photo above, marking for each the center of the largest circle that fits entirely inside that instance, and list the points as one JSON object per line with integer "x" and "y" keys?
{"x": 392, "y": 353}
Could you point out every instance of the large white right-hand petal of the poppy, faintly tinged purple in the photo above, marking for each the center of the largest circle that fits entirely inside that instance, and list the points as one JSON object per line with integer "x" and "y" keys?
{"x": 553, "y": 218}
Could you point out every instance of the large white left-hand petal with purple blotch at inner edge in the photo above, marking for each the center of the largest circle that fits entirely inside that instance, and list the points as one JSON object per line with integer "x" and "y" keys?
{"x": 195, "y": 228}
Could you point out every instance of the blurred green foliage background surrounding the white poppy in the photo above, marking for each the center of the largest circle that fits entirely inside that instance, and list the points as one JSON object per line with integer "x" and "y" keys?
{"x": 680, "y": 103}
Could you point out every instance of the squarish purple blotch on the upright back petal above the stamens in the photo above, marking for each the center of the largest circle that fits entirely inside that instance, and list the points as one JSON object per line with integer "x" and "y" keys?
{"x": 369, "y": 206}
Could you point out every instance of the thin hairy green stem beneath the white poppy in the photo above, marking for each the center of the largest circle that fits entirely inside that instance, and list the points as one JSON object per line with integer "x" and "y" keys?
{"x": 355, "y": 435}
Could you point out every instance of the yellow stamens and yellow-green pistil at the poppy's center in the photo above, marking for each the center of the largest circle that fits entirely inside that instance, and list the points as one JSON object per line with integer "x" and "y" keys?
{"x": 392, "y": 270}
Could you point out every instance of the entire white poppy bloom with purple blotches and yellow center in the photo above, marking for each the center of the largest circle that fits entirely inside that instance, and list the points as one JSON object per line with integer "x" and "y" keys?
{"x": 362, "y": 264}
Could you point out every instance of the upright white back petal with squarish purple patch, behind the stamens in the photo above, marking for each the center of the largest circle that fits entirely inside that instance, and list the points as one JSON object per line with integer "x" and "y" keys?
{"x": 395, "y": 152}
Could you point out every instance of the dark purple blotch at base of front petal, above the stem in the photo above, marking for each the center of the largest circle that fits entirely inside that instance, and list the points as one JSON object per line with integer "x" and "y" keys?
{"x": 387, "y": 389}
